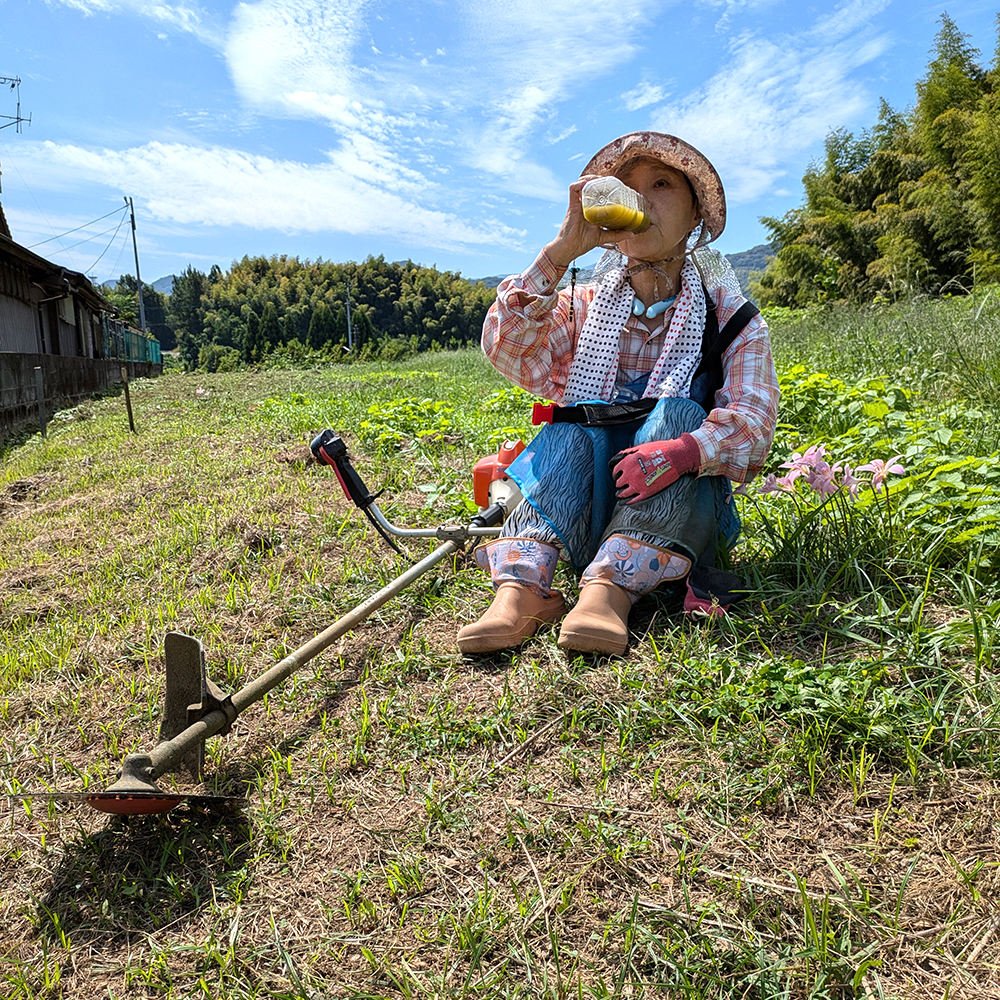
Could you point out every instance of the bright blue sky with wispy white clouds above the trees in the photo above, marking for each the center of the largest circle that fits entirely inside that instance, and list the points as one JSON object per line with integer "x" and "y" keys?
{"x": 442, "y": 131}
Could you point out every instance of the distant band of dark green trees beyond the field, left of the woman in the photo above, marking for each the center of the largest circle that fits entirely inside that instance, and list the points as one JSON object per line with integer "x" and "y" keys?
{"x": 264, "y": 305}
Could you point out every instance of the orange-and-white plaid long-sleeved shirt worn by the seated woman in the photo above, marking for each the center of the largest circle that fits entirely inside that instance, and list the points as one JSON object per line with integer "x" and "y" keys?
{"x": 528, "y": 337}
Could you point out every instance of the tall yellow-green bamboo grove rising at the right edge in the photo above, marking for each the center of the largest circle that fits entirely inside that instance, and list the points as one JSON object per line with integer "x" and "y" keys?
{"x": 911, "y": 205}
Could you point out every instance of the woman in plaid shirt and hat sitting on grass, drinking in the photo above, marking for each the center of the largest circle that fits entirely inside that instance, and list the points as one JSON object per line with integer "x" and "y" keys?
{"x": 635, "y": 493}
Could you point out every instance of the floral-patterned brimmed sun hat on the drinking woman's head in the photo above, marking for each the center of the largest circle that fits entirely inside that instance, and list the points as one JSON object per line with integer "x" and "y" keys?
{"x": 674, "y": 153}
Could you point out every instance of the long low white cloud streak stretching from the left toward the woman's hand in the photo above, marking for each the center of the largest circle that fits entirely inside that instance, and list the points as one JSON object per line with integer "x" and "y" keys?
{"x": 215, "y": 186}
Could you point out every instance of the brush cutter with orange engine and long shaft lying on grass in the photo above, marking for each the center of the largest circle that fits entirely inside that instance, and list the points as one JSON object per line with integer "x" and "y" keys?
{"x": 195, "y": 708}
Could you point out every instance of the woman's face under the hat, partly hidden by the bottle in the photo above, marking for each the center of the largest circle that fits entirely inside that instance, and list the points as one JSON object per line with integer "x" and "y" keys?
{"x": 672, "y": 210}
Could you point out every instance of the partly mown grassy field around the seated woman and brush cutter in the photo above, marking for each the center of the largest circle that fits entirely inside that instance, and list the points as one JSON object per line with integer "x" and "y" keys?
{"x": 797, "y": 801}
